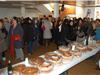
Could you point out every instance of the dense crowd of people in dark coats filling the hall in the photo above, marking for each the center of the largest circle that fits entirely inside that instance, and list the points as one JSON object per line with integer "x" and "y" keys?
{"x": 18, "y": 32}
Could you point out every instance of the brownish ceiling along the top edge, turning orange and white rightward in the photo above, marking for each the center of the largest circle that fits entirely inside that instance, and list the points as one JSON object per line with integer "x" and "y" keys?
{"x": 34, "y": 3}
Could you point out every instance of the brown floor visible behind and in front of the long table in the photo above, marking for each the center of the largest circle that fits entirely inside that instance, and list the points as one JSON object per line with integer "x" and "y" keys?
{"x": 87, "y": 67}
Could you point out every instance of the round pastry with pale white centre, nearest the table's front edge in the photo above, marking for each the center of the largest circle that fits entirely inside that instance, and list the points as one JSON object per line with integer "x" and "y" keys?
{"x": 45, "y": 67}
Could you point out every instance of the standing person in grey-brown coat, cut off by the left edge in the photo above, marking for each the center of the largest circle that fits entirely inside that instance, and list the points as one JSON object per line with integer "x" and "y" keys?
{"x": 3, "y": 42}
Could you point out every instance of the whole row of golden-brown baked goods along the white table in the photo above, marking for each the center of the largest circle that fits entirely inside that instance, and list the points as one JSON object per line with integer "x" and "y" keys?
{"x": 50, "y": 59}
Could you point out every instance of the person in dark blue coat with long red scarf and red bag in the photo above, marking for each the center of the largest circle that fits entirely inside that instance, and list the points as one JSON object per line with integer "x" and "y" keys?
{"x": 16, "y": 41}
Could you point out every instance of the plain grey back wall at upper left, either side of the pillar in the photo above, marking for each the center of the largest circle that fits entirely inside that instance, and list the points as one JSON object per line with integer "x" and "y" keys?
{"x": 9, "y": 12}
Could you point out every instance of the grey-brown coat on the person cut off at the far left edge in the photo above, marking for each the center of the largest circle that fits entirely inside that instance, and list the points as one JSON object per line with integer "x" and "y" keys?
{"x": 4, "y": 42}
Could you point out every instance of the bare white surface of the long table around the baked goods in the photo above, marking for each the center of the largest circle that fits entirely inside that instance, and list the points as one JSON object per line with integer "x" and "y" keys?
{"x": 65, "y": 66}
